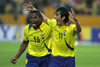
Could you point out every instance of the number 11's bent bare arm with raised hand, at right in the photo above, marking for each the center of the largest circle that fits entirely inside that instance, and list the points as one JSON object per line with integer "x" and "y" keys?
{"x": 78, "y": 28}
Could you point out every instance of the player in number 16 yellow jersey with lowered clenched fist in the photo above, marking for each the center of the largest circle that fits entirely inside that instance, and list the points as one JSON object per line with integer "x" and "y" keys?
{"x": 37, "y": 35}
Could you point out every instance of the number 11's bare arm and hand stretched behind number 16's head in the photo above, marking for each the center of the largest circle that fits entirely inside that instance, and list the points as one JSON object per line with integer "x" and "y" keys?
{"x": 30, "y": 7}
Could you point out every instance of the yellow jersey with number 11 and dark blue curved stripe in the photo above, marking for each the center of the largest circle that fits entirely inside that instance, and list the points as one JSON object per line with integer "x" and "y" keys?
{"x": 64, "y": 39}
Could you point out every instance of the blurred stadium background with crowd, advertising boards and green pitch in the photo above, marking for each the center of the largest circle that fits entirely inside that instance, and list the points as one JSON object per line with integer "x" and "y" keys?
{"x": 13, "y": 20}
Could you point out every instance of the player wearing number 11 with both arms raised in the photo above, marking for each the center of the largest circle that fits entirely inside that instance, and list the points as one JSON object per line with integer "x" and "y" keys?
{"x": 63, "y": 49}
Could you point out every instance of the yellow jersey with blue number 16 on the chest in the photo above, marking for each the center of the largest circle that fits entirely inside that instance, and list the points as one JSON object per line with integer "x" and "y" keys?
{"x": 39, "y": 44}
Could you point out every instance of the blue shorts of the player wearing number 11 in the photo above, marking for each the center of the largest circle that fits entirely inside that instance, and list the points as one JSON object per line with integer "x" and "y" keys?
{"x": 62, "y": 61}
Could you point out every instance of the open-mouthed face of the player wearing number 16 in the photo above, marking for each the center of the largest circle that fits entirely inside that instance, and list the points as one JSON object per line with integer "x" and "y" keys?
{"x": 35, "y": 20}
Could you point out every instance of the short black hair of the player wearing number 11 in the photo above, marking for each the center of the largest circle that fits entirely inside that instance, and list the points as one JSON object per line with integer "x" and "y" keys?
{"x": 64, "y": 12}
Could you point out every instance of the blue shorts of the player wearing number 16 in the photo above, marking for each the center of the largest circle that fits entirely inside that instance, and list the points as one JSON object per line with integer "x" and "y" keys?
{"x": 33, "y": 61}
